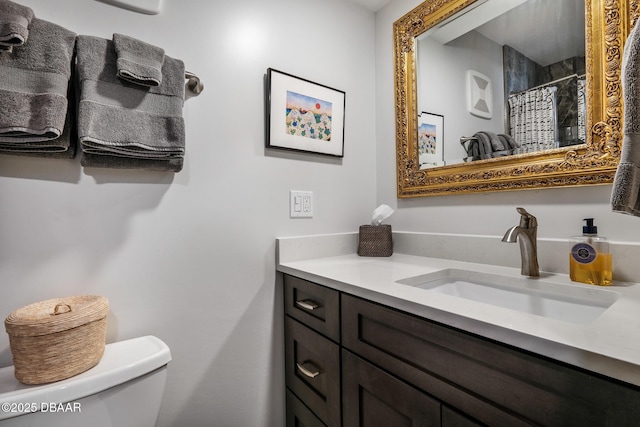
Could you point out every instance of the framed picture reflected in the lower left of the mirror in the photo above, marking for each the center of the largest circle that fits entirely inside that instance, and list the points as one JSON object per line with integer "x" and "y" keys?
{"x": 430, "y": 140}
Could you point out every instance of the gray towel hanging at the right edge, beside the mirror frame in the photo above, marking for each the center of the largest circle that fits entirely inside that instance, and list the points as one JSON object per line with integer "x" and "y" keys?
{"x": 625, "y": 197}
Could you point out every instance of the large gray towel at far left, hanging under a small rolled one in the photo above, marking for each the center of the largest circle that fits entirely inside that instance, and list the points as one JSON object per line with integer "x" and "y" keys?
{"x": 34, "y": 86}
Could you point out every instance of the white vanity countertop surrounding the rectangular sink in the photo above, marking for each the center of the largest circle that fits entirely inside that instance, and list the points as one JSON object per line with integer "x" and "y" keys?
{"x": 609, "y": 345}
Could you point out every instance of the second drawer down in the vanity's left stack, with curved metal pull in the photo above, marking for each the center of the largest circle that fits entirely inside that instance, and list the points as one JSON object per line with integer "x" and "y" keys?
{"x": 312, "y": 370}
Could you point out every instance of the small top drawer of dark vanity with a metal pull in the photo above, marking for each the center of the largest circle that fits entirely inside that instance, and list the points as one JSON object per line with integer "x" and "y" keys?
{"x": 316, "y": 306}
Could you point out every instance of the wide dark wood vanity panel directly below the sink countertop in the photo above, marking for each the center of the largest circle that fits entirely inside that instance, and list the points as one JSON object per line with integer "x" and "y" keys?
{"x": 493, "y": 383}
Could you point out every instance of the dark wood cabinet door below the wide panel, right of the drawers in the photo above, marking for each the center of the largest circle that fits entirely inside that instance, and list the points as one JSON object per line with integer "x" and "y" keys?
{"x": 373, "y": 398}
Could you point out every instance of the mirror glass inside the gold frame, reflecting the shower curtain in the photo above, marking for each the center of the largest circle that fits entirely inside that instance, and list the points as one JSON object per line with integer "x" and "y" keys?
{"x": 506, "y": 78}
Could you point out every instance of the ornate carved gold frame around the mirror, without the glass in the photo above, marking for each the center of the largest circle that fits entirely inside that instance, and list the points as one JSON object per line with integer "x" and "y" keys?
{"x": 607, "y": 26}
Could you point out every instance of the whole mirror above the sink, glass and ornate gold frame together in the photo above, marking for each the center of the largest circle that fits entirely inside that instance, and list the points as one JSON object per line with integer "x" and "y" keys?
{"x": 583, "y": 152}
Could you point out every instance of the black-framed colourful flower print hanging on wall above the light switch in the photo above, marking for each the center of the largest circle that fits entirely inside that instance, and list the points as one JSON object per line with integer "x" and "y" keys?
{"x": 303, "y": 115}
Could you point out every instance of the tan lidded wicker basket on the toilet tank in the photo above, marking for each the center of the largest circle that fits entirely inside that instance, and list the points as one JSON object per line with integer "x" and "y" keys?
{"x": 58, "y": 338}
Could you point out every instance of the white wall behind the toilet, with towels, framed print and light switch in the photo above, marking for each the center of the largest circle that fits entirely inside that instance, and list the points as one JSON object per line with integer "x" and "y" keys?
{"x": 190, "y": 257}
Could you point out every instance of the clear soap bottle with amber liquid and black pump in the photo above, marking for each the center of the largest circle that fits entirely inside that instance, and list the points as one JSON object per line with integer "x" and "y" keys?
{"x": 590, "y": 261}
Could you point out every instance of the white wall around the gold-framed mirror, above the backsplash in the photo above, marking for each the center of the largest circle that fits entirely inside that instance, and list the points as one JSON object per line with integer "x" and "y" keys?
{"x": 559, "y": 211}
